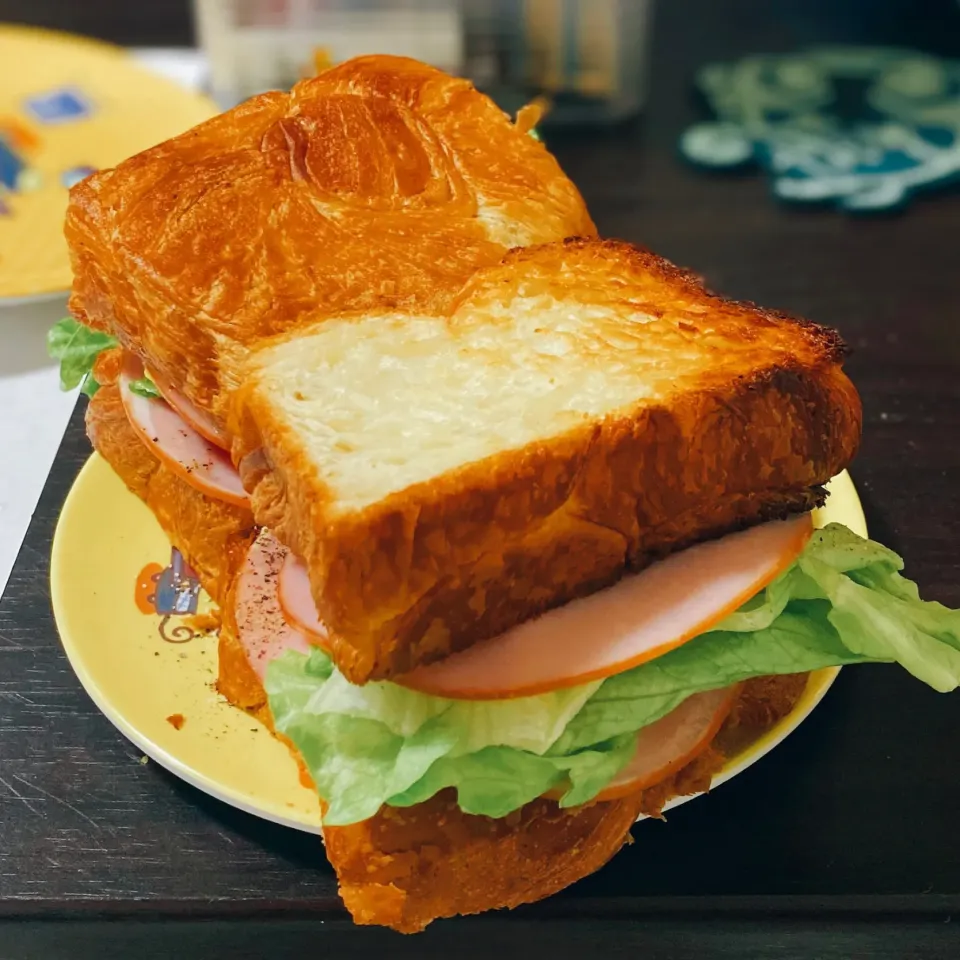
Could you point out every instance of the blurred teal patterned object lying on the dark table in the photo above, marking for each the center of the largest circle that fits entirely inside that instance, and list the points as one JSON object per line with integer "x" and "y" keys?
{"x": 864, "y": 128}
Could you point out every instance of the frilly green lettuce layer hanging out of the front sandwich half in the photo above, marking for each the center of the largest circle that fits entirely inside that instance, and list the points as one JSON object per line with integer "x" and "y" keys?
{"x": 842, "y": 602}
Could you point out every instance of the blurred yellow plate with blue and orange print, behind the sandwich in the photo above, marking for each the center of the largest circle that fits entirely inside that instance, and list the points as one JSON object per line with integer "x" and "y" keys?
{"x": 68, "y": 104}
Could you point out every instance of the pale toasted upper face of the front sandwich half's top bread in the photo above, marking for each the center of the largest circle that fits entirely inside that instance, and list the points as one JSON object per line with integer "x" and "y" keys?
{"x": 553, "y": 339}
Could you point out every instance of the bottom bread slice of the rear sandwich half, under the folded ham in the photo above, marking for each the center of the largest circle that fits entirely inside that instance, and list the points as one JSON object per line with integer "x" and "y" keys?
{"x": 213, "y": 536}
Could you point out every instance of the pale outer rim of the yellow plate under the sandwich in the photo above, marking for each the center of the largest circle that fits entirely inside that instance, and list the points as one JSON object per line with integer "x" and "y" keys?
{"x": 818, "y": 684}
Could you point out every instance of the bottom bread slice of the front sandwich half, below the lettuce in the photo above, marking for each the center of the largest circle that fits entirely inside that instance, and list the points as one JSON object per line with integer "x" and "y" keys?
{"x": 404, "y": 868}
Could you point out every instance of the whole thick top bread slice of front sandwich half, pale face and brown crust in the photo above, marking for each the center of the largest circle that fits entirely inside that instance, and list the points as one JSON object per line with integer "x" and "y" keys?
{"x": 584, "y": 408}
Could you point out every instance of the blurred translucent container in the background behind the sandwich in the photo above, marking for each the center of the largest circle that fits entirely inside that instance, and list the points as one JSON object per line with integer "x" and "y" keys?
{"x": 585, "y": 56}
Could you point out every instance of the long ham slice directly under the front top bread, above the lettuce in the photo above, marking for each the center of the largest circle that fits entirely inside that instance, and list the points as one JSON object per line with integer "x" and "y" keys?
{"x": 641, "y": 617}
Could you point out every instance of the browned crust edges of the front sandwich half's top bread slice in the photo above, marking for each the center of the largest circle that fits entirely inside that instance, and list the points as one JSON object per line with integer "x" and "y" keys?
{"x": 445, "y": 563}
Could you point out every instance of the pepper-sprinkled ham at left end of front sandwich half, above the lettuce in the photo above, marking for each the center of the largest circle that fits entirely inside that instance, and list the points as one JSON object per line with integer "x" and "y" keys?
{"x": 261, "y": 626}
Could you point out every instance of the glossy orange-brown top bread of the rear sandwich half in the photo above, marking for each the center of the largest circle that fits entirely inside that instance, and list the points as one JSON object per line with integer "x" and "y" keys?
{"x": 381, "y": 182}
